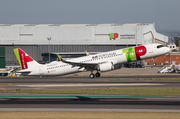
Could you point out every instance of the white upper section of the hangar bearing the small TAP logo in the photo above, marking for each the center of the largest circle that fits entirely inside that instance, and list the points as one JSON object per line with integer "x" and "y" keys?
{"x": 79, "y": 34}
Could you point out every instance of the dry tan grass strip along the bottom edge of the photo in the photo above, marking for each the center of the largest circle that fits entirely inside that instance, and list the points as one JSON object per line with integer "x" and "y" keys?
{"x": 87, "y": 115}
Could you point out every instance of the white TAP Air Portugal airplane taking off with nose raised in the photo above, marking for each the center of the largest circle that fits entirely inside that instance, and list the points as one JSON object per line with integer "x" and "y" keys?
{"x": 101, "y": 62}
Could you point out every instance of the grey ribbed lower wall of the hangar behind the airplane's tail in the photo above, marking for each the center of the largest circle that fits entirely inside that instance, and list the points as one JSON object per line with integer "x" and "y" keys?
{"x": 35, "y": 51}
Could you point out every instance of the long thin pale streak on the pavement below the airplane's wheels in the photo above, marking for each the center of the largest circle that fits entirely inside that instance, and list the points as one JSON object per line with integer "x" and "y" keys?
{"x": 81, "y": 85}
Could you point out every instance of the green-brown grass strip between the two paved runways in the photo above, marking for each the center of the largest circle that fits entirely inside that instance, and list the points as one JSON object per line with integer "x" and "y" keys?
{"x": 125, "y": 91}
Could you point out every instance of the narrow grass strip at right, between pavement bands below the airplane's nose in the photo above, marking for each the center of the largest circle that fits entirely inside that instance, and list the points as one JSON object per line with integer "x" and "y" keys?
{"x": 144, "y": 79}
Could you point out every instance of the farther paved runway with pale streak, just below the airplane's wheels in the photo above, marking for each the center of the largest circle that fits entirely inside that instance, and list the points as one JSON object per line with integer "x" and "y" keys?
{"x": 28, "y": 83}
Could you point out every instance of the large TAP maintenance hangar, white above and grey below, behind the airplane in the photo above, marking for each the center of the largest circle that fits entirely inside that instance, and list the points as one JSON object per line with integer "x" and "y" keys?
{"x": 70, "y": 40}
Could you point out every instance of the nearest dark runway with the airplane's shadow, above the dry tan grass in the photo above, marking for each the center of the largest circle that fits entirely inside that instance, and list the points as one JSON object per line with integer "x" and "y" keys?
{"x": 90, "y": 104}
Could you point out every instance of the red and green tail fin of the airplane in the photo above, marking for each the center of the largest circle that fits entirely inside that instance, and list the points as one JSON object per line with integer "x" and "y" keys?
{"x": 24, "y": 59}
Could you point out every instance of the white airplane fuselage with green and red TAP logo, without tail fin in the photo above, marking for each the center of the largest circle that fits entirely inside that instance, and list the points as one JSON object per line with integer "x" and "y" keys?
{"x": 116, "y": 57}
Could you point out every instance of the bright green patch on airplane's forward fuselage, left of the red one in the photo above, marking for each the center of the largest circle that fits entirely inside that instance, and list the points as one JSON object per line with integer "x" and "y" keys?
{"x": 130, "y": 54}
